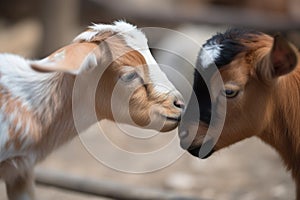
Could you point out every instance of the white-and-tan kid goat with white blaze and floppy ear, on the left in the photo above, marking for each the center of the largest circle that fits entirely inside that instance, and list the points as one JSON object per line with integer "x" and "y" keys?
{"x": 36, "y": 102}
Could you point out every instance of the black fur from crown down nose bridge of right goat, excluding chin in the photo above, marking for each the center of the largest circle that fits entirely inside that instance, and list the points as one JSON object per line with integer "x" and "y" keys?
{"x": 231, "y": 45}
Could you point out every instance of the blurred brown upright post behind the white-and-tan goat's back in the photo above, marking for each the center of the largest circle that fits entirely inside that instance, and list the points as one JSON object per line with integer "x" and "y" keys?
{"x": 59, "y": 20}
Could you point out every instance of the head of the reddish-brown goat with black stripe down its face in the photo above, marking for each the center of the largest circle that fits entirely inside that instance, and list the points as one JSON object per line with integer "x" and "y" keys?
{"x": 250, "y": 65}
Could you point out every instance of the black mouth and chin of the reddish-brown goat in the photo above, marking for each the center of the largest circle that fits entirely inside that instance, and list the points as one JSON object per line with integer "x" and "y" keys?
{"x": 203, "y": 151}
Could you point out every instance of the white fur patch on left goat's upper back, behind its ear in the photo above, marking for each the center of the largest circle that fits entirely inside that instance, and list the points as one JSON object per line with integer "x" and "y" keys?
{"x": 23, "y": 82}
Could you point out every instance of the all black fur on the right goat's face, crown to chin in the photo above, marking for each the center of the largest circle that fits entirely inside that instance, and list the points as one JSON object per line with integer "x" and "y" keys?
{"x": 230, "y": 44}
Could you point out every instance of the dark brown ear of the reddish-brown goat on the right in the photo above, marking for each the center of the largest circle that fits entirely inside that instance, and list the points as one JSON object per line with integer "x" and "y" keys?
{"x": 283, "y": 57}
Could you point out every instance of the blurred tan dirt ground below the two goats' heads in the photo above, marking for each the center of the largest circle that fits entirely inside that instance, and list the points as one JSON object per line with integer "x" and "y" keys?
{"x": 249, "y": 170}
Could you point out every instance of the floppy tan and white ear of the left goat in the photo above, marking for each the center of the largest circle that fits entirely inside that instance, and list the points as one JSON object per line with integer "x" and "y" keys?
{"x": 74, "y": 58}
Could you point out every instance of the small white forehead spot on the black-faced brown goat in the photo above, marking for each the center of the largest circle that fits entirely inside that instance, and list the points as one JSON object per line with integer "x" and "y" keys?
{"x": 209, "y": 54}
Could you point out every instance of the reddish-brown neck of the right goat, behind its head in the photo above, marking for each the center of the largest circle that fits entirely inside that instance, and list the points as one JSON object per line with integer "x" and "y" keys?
{"x": 283, "y": 132}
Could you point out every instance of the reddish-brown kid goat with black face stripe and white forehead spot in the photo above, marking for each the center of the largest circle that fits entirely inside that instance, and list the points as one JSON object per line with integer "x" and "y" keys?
{"x": 261, "y": 77}
